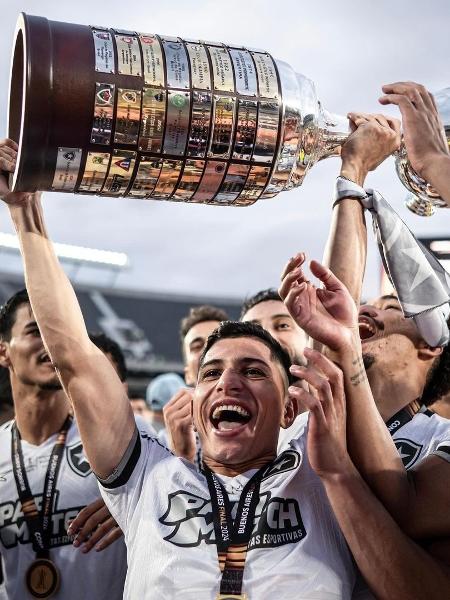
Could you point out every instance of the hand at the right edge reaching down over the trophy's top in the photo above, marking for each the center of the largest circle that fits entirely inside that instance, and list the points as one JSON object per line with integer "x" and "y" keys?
{"x": 423, "y": 132}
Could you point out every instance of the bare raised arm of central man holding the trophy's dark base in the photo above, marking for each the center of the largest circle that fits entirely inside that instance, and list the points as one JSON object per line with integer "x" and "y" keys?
{"x": 103, "y": 412}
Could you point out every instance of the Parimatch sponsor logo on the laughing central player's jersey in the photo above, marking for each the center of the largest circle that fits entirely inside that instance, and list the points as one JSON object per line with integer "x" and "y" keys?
{"x": 277, "y": 521}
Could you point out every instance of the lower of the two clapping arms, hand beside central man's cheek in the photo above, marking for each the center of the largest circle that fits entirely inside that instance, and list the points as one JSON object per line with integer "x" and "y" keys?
{"x": 386, "y": 557}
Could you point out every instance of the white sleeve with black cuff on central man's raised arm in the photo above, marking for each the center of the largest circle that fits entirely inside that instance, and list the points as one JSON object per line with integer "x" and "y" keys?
{"x": 121, "y": 490}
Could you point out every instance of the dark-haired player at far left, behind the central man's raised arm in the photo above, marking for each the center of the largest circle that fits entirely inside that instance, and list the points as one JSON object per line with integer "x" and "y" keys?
{"x": 41, "y": 455}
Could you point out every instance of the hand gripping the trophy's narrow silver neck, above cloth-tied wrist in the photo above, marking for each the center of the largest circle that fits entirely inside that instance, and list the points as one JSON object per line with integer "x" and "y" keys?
{"x": 374, "y": 138}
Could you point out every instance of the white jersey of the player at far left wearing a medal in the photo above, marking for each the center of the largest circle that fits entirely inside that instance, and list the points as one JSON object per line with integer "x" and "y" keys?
{"x": 92, "y": 576}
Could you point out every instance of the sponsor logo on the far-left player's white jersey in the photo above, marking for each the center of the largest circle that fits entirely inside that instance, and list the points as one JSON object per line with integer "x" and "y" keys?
{"x": 14, "y": 530}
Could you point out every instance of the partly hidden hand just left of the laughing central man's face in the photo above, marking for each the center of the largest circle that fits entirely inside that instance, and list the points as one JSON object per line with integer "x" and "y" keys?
{"x": 178, "y": 418}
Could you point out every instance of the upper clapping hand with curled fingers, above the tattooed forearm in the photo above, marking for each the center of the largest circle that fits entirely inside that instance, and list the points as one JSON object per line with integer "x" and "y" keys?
{"x": 328, "y": 315}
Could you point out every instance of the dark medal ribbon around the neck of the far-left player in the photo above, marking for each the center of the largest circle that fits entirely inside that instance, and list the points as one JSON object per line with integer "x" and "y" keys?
{"x": 39, "y": 523}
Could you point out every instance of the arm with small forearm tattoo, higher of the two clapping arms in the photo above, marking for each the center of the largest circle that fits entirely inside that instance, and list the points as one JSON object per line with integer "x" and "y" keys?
{"x": 329, "y": 315}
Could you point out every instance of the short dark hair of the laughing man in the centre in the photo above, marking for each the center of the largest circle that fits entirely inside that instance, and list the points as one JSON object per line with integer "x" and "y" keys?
{"x": 237, "y": 329}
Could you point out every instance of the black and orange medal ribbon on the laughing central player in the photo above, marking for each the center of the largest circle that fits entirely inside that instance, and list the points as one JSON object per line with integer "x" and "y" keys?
{"x": 232, "y": 537}
